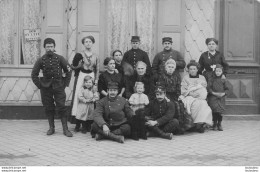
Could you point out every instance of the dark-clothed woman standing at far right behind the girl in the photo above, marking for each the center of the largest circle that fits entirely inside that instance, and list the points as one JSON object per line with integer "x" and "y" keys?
{"x": 210, "y": 58}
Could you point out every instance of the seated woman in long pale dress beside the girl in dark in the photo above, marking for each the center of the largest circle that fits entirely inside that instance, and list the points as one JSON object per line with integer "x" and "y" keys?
{"x": 193, "y": 95}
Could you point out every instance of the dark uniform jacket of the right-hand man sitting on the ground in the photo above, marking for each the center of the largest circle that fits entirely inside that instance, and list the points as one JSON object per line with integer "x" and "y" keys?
{"x": 162, "y": 112}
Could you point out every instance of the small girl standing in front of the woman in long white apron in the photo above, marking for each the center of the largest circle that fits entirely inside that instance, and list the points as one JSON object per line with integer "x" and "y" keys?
{"x": 87, "y": 96}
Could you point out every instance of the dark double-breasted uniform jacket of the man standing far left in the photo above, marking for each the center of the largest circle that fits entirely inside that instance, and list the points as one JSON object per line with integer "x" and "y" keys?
{"x": 52, "y": 67}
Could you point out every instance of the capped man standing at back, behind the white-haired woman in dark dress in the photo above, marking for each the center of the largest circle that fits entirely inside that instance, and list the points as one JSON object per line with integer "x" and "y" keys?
{"x": 167, "y": 53}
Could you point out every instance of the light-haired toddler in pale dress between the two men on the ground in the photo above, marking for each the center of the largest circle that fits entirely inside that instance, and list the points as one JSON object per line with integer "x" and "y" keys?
{"x": 138, "y": 100}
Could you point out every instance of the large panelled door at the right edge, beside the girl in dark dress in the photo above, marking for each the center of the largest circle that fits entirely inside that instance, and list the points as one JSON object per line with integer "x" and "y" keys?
{"x": 241, "y": 49}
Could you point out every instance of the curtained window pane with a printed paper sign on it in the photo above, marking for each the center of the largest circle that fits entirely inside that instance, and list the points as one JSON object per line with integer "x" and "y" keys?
{"x": 30, "y": 37}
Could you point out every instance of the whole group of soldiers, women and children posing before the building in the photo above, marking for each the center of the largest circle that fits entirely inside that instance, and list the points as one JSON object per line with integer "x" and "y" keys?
{"x": 133, "y": 98}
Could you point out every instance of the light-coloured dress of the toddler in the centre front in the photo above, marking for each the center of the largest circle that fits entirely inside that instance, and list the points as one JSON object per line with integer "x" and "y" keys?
{"x": 138, "y": 101}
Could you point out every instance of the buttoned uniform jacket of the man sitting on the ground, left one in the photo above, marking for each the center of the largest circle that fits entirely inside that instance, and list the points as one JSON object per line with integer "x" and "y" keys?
{"x": 112, "y": 112}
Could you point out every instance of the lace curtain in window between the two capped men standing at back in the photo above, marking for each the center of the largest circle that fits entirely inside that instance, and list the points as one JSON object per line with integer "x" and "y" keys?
{"x": 145, "y": 25}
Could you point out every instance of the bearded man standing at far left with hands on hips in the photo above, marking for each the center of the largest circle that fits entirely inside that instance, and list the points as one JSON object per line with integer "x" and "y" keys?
{"x": 52, "y": 84}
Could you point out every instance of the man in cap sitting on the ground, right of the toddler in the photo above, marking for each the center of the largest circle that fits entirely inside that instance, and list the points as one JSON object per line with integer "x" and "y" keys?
{"x": 160, "y": 116}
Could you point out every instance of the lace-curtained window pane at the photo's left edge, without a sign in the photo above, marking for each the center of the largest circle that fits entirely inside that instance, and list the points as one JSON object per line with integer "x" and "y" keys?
{"x": 7, "y": 31}
